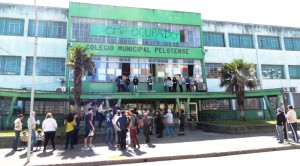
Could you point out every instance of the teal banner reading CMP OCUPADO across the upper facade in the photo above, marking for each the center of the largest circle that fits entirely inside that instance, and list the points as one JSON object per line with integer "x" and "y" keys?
{"x": 135, "y": 33}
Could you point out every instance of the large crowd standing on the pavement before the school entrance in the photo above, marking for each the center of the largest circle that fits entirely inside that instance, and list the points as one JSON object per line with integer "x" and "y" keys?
{"x": 122, "y": 127}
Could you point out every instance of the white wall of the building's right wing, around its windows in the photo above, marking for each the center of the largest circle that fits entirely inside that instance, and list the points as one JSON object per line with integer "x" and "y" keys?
{"x": 257, "y": 56}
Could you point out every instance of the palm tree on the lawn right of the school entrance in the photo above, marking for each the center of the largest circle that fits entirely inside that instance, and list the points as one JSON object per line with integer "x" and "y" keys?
{"x": 235, "y": 76}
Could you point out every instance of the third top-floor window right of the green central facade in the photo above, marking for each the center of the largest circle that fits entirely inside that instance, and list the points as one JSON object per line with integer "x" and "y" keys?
{"x": 268, "y": 42}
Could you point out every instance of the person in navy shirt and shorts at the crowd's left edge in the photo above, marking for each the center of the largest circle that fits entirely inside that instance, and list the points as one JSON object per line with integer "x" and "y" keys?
{"x": 89, "y": 129}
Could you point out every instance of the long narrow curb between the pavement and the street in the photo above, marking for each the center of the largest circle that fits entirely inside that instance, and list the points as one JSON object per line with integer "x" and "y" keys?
{"x": 178, "y": 157}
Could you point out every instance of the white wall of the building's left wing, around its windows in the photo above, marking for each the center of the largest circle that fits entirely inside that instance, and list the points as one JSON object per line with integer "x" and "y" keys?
{"x": 24, "y": 46}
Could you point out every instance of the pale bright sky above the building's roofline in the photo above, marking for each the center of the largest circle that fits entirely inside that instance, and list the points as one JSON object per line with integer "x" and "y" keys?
{"x": 268, "y": 12}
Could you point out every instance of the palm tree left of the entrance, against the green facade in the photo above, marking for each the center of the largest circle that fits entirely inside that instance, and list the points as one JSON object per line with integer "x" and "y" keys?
{"x": 80, "y": 62}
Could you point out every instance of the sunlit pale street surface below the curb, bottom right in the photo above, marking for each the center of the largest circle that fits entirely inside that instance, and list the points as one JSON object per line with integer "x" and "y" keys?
{"x": 276, "y": 158}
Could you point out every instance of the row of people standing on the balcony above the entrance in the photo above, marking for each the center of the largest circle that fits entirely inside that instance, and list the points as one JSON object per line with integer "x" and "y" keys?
{"x": 169, "y": 84}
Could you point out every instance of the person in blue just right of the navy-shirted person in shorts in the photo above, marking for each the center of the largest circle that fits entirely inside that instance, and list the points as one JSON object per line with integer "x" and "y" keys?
{"x": 110, "y": 128}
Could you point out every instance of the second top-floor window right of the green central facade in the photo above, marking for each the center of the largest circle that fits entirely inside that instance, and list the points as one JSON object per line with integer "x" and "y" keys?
{"x": 240, "y": 41}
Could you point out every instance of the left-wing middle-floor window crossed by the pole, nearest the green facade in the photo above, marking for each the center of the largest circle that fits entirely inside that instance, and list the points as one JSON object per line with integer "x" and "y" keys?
{"x": 46, "y": 66}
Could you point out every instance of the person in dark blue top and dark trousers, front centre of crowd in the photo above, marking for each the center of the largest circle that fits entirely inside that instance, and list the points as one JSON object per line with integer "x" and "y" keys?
{"x": 122, "y": 124}
